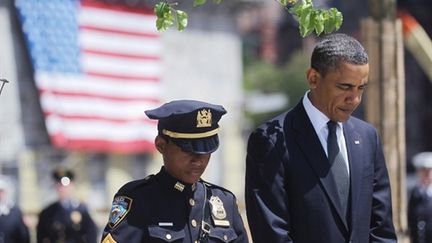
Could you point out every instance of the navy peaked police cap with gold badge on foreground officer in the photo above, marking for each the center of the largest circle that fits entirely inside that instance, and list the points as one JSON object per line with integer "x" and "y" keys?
{"x": 192, "y": 125}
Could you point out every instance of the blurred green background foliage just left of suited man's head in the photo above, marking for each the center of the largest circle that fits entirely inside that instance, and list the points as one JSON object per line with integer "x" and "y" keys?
{"x": 289, "y": 79}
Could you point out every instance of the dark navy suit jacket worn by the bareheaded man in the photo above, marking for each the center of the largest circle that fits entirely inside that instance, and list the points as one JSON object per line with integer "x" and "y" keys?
{"x": 290, "y": 192}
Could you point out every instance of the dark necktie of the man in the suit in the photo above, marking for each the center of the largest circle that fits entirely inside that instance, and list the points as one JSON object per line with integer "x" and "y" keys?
{"x": 338, "y": 166}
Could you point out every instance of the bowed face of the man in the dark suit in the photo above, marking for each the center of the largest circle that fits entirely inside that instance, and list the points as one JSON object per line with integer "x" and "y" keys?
{"x": 339, "y": 92}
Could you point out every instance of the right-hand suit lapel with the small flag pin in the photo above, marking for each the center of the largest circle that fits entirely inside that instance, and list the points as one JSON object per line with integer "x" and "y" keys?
{"x": 354, "y": 145}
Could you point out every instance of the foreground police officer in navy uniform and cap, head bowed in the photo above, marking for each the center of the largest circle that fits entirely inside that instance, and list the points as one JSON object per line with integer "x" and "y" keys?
{"x": 175, "y": 205}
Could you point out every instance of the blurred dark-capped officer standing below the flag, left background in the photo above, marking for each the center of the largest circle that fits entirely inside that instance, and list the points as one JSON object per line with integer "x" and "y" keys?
{"x": 66, "y": 220}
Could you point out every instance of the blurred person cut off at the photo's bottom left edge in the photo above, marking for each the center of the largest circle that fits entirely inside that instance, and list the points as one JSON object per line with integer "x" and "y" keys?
{"x": 12, "y": 227}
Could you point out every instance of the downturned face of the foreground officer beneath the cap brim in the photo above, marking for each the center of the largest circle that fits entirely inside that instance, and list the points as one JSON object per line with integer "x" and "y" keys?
{"x": 185, "y": 166}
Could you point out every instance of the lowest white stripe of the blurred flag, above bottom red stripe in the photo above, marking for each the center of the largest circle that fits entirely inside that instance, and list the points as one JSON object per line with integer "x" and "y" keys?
{"x": 98, "y": 130}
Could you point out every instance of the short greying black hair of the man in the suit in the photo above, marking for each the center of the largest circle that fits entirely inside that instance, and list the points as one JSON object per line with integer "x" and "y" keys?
{"x": 333, "y": 49}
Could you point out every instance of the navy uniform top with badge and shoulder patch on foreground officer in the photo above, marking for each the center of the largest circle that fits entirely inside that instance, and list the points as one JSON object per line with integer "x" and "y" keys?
{"x": 162, "y": 209}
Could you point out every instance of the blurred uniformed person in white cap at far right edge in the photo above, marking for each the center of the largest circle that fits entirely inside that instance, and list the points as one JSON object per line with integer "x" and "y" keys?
{"x": 420, "y": 201}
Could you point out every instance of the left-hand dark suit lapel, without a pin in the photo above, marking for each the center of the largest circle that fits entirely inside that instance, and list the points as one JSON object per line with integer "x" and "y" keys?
{"x": 312, "y": 149}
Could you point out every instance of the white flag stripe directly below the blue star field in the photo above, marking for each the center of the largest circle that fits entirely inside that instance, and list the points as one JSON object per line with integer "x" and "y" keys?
{"x": 98, "y": 86}
